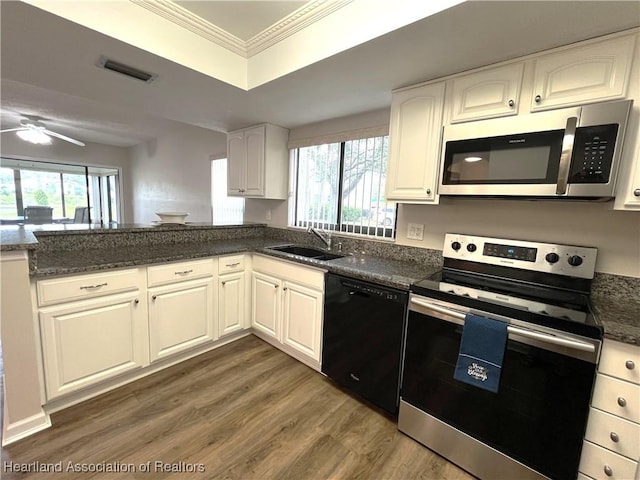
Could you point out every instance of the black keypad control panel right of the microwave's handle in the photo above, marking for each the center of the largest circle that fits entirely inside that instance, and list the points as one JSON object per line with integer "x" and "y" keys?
{"x": 593, "y": 154}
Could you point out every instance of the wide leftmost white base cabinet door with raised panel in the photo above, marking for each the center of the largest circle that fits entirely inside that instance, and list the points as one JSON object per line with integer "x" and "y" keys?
{"x": 88, "y": 341}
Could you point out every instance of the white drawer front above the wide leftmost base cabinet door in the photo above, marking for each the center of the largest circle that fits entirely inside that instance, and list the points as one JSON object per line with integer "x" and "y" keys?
{"x": 66, "y": 289}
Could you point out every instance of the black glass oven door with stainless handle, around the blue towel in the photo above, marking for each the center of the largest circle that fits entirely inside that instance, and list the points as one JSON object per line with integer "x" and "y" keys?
{"x": 537, "y": 418}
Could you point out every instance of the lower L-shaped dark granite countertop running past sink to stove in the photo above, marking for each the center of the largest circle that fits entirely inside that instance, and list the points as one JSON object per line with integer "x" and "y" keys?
{"x": 394, "y": 273}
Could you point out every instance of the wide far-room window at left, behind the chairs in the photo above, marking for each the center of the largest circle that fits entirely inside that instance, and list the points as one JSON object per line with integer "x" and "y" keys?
{"x": 62, "y": 187}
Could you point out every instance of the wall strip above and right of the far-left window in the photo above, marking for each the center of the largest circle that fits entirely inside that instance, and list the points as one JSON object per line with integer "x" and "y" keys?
{"x": 93, "y": 154}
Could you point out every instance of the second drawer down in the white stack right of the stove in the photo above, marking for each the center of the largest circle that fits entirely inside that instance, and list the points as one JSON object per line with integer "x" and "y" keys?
{"x": 618, "y": 397}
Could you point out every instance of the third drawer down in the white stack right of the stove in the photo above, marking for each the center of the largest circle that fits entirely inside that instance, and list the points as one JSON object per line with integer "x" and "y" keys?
{"x": 603, "y": 428}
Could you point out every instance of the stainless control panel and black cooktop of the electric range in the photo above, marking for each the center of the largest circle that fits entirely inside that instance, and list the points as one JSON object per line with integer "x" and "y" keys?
{"x": 516, "y": 279}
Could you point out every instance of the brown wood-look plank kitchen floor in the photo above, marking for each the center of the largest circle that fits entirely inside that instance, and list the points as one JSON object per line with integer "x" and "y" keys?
{"x": 243, "y": 411}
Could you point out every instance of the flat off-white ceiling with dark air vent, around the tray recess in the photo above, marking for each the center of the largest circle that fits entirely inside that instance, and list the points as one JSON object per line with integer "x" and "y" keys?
{"x": 48, "y": 68}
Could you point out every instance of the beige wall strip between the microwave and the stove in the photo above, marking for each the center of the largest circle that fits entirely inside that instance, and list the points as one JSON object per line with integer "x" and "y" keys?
{"x": 616, "y": 234}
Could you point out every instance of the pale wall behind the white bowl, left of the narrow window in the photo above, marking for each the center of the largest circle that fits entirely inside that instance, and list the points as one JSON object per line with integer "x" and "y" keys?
{"x": 173, "y": 173}
